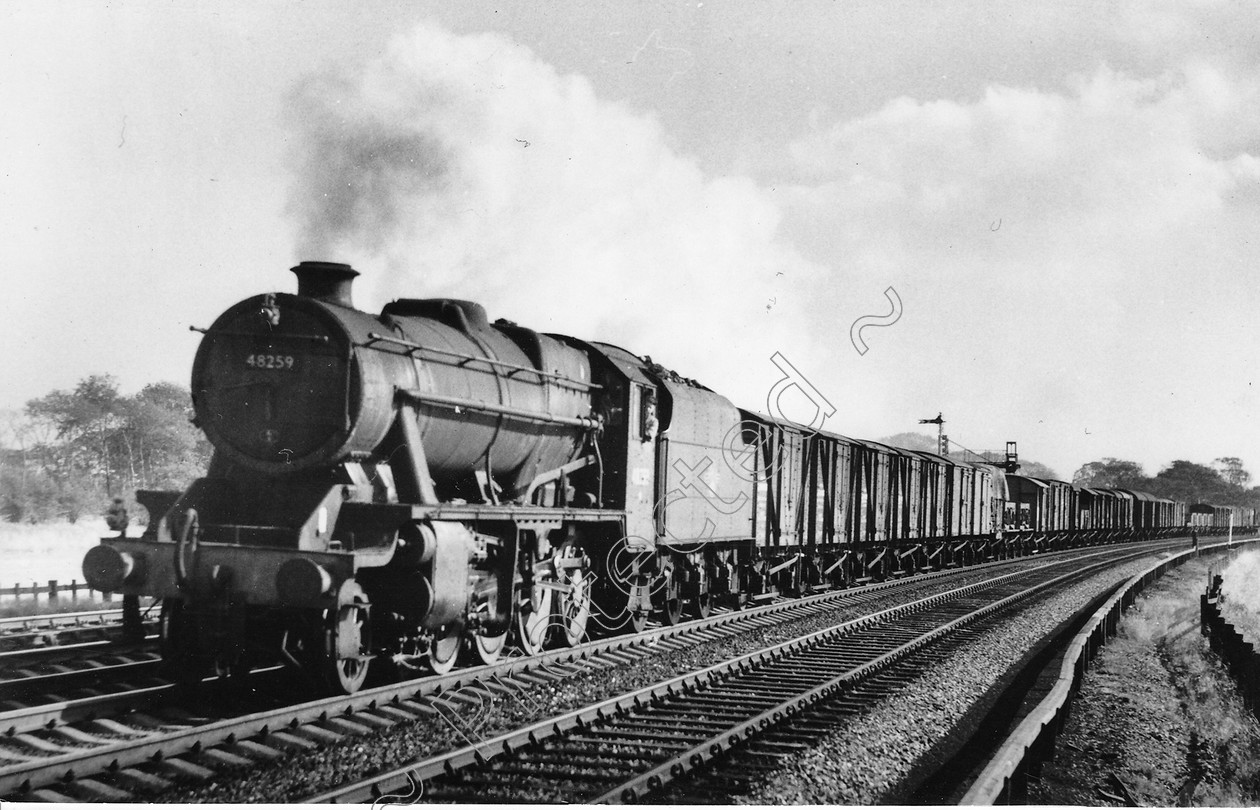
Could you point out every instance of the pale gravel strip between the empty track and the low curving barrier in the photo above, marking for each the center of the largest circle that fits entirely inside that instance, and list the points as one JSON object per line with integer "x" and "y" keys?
{"x": 869, "y": 759}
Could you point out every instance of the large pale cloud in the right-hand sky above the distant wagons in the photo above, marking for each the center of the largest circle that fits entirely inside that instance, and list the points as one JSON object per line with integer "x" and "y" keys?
{"x": 1065, "y": 258}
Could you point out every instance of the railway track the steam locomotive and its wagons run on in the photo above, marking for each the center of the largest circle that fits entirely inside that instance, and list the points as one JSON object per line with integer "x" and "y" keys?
{"x": 118, "y": 748}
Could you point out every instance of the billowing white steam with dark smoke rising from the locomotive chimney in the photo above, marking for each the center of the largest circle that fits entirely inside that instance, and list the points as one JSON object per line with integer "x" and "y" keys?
{"x": 466, "y": 167}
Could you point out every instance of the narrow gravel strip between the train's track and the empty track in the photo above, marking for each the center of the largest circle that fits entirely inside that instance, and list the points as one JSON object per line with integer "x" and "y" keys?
{"x": 481, "y": 716}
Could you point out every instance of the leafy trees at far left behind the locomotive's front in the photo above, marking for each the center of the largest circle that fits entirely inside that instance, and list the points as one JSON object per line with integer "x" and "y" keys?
{"x": 70, "y": 453}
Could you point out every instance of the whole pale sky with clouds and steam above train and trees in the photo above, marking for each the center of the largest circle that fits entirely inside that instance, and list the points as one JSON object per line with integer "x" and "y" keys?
{"x": 1063, "y": 198}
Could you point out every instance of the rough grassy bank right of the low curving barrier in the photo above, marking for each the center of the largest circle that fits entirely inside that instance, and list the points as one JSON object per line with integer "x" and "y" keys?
{"x": 1160, "y": 720}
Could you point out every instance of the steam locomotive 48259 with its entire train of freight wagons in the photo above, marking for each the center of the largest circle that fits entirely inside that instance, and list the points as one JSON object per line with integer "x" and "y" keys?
{"x": 421, "y": 487}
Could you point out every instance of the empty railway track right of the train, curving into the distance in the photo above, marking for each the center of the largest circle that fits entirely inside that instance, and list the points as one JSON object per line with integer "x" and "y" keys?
{"x": 740, "y": 715}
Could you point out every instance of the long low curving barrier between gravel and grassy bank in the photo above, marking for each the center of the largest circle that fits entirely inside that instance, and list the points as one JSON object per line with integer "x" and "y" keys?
{"x": 1005, "y": 780}
